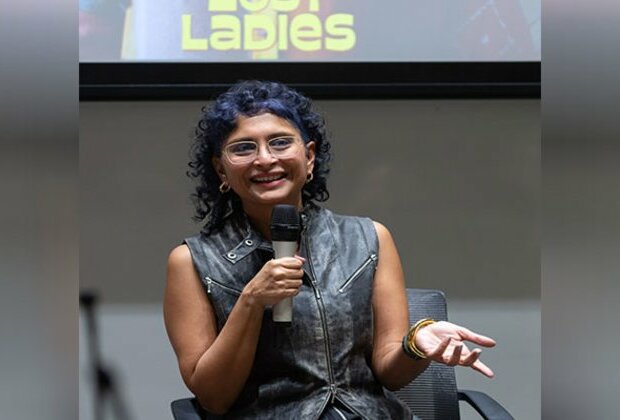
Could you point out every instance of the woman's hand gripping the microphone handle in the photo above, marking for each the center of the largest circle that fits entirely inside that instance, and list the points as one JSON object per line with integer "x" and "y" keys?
{"x": 279, "y": 278}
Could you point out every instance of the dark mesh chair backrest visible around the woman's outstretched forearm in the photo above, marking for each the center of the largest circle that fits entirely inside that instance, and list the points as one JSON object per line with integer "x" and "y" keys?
{"x": 433, "y": 394}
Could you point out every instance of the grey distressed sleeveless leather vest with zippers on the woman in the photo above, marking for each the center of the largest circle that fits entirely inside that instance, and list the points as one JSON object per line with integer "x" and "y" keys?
{"x": 324, "y": 354}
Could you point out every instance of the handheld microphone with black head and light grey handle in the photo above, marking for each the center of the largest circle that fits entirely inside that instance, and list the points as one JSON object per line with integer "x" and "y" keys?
{"x": 285, "y": 233}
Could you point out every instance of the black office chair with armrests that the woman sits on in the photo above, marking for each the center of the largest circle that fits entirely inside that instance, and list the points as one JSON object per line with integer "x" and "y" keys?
{"x": 431, "y": 396}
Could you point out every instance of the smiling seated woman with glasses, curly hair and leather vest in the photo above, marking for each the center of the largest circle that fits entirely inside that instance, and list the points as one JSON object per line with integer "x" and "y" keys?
{"x": 259, "y": 145}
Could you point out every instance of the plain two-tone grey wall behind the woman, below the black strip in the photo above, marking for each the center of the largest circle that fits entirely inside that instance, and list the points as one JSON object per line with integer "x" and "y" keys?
{"x": 456, "y": 181}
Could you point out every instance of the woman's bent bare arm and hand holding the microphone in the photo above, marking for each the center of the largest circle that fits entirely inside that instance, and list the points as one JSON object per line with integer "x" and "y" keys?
{"x": 215, "y": 366}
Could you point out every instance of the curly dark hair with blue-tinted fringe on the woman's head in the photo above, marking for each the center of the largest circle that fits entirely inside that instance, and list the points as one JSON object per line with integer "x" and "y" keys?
{"x": 250, "y": 98}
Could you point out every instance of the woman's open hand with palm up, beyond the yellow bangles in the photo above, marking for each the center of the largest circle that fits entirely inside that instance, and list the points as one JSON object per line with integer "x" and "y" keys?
{"x": 443, "y": 342}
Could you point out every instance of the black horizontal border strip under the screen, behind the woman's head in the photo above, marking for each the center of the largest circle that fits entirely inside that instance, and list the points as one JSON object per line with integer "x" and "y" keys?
{"x": 347, "y": 80}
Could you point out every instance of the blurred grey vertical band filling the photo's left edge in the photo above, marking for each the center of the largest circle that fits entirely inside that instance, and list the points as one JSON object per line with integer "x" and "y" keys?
{"x": 39, "y": 240}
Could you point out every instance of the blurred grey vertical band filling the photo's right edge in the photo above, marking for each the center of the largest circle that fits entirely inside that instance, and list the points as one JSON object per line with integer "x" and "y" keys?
{"x": 581, "y": 208}
